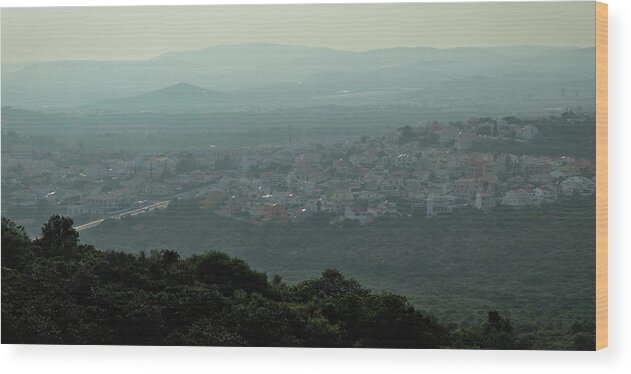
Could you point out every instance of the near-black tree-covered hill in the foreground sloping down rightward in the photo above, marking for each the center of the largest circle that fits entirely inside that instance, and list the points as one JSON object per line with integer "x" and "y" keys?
{"x": 57, "y": 291}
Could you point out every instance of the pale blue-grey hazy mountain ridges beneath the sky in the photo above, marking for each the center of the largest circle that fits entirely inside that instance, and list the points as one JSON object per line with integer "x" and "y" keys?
{"x": 259, "y": 74}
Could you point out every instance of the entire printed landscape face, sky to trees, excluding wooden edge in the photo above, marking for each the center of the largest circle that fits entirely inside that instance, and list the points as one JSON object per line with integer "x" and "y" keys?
{"x": 454, "y": 169}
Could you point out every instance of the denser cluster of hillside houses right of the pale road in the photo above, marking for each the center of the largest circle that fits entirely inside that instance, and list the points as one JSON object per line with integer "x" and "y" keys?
{"x": 367, "y": 179}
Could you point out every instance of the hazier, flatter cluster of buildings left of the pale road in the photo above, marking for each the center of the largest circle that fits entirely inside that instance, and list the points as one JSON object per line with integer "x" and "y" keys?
{"x": 92, "y": 185}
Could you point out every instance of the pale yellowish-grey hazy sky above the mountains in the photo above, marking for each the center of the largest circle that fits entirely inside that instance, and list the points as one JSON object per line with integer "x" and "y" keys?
{"x": 111, "y": 33}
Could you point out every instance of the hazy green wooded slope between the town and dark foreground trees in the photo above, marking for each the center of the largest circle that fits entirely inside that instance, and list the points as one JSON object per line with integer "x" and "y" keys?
{"x": 537, "y": 263}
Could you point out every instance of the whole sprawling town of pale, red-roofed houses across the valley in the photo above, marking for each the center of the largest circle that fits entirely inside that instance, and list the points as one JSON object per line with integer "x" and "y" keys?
{"x": 432, "y": 169}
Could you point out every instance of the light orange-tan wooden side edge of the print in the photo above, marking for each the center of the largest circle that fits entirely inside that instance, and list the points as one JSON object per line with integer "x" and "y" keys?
{"x": 601, "y": 177}
